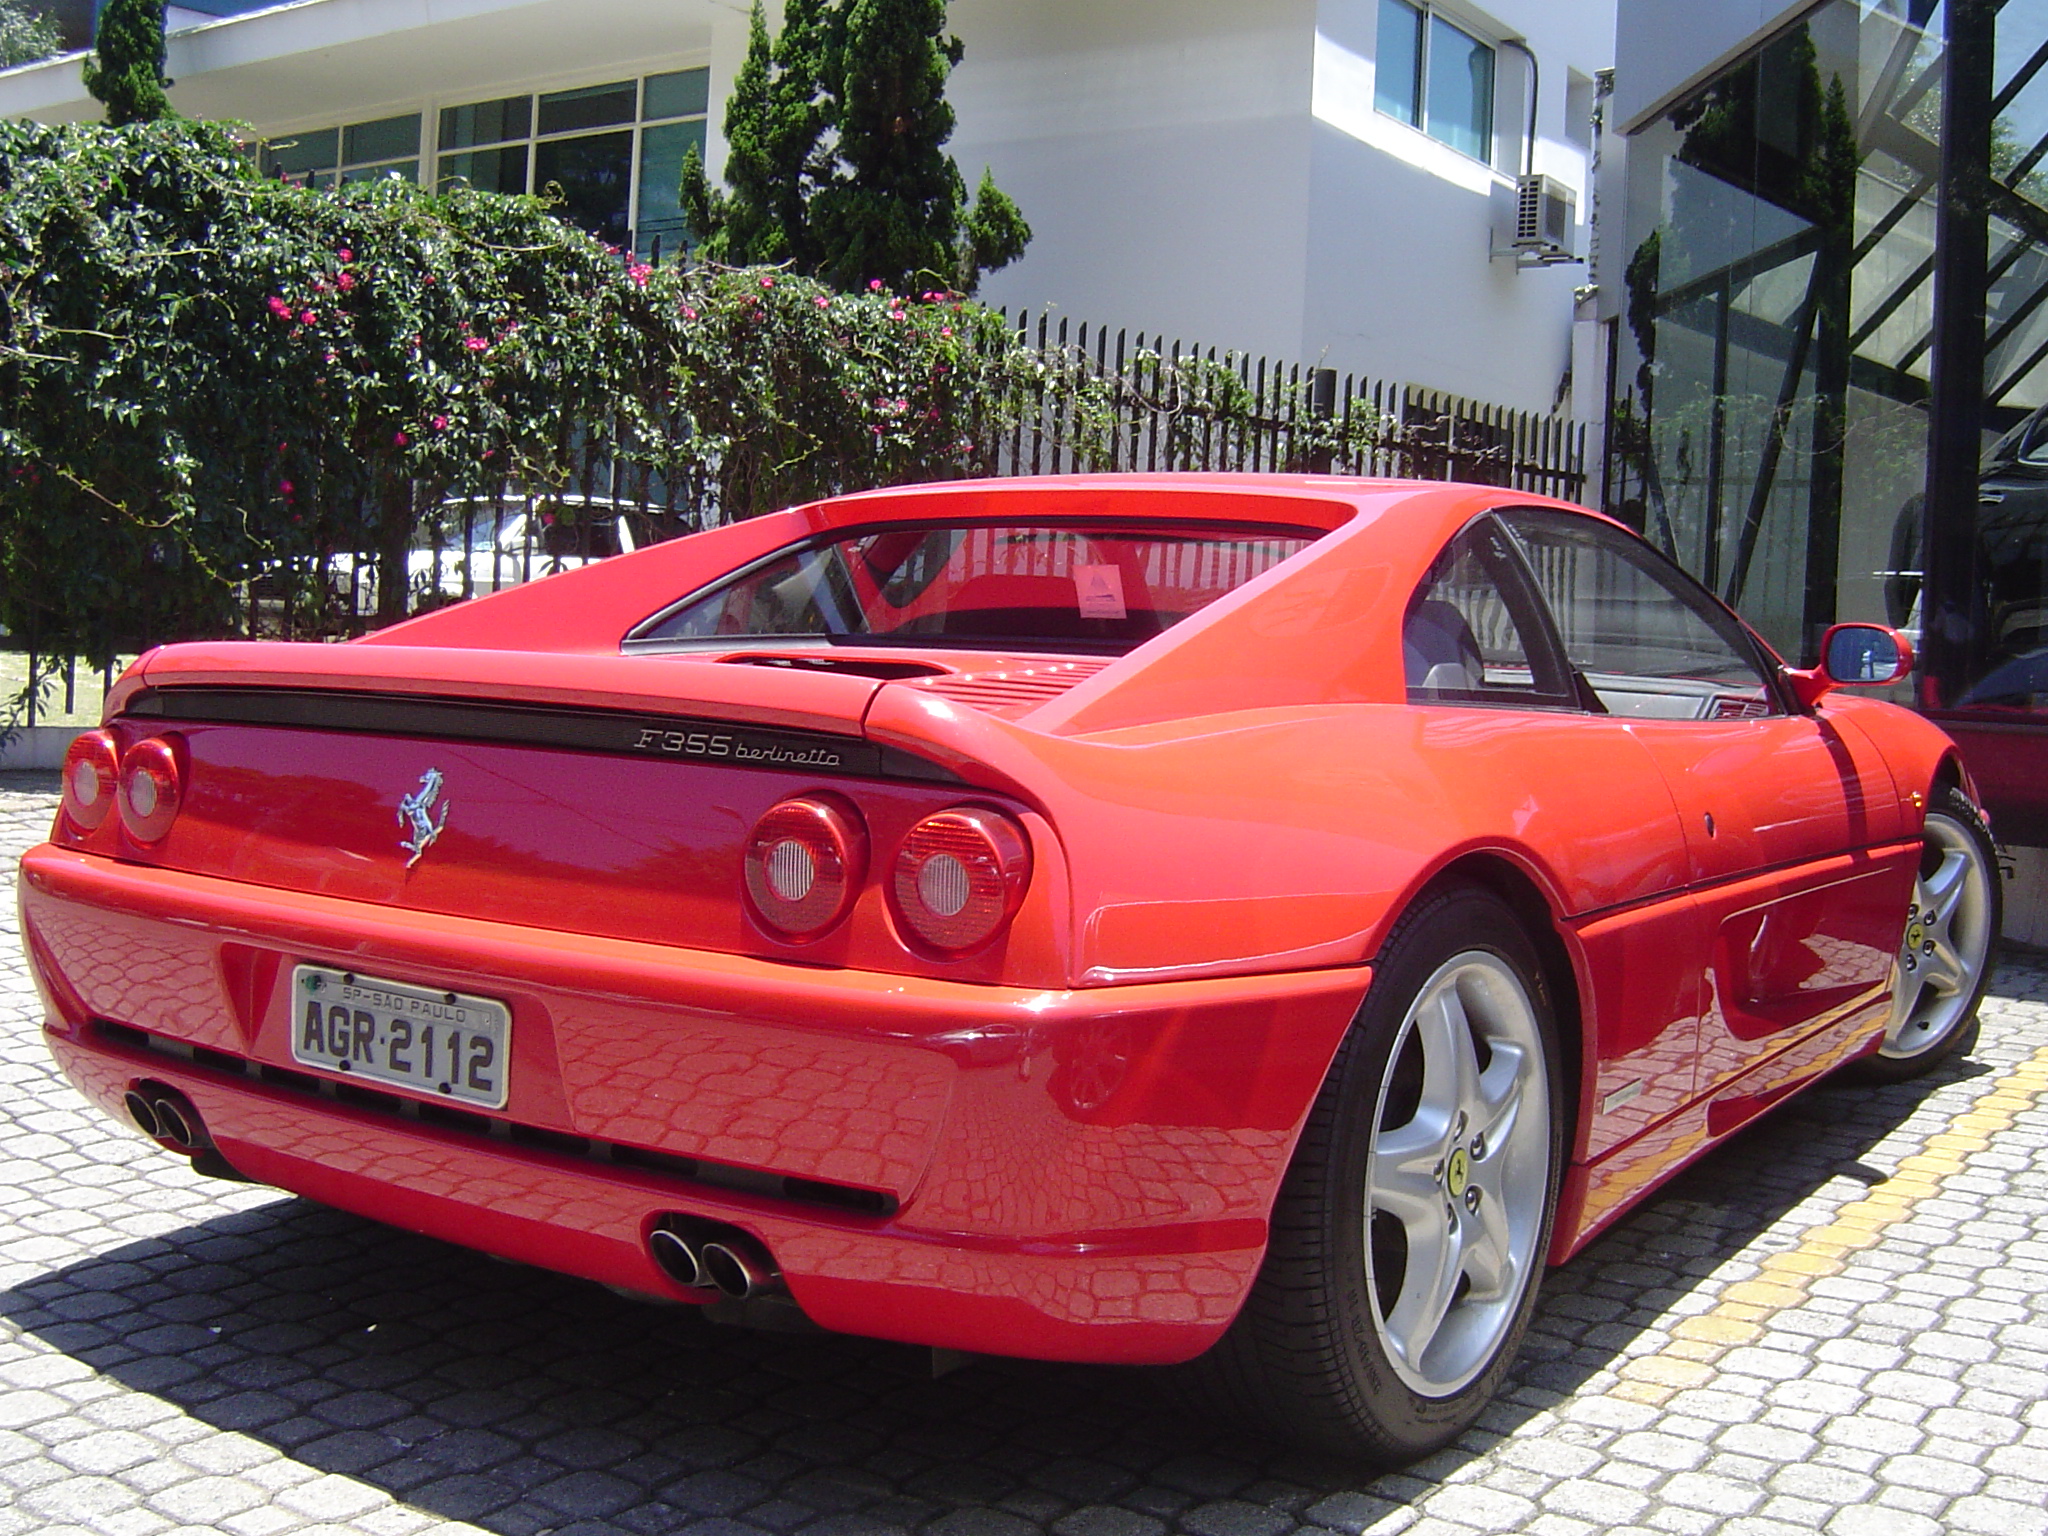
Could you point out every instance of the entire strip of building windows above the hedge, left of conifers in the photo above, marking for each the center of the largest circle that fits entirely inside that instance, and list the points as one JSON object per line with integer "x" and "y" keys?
{"x": 611, "y": 153}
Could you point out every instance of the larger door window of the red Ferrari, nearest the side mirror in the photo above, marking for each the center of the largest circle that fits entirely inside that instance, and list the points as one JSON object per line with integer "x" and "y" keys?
{"x": 1644, "y": 634}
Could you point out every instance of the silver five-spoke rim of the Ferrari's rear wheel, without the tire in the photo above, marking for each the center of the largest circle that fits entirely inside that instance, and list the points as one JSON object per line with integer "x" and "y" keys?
{"x": 1457, "y": 1175}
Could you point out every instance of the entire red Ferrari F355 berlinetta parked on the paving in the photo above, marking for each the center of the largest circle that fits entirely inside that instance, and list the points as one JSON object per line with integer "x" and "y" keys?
{"x": 1252, "y": 923}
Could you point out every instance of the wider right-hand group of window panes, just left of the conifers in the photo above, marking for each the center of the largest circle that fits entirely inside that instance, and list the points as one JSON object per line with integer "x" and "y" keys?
{"x": 615, "y": 153}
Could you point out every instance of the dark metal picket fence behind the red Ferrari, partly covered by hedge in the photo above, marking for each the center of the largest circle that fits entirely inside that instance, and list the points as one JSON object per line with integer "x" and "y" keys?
{"x": 1152, "y": 404}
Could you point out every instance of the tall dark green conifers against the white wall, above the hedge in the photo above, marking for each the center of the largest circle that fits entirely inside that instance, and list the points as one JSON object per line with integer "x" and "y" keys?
{"x": 837, "y": 155}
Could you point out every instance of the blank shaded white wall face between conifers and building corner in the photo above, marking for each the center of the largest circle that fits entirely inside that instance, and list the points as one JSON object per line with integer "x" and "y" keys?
{"x": 1160, "y": 151}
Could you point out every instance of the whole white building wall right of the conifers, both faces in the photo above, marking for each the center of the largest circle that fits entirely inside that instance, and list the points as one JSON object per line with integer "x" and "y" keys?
{"x": 1220, "y": 173}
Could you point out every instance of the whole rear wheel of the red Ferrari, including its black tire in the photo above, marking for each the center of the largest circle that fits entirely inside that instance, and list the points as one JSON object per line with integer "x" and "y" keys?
{"x": 1316, "y": 1355}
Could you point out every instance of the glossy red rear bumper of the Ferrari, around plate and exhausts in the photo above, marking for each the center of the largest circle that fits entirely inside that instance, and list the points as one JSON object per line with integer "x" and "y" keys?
{"x": 1074, "y": 1175}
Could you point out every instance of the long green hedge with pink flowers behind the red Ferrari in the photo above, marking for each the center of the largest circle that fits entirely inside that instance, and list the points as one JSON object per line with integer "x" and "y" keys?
{"x": 204, "y": 374}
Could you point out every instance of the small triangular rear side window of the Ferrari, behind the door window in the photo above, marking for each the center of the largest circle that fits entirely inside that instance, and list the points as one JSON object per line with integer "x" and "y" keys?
{"x": 1471, "y": 636}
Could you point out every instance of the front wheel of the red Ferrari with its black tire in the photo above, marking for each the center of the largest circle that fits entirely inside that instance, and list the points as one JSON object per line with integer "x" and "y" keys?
{"x": 1947, "y": 953}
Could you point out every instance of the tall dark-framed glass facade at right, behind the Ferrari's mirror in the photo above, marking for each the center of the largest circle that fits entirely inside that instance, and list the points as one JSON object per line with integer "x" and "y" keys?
{"x": 1830, "y": 370}
